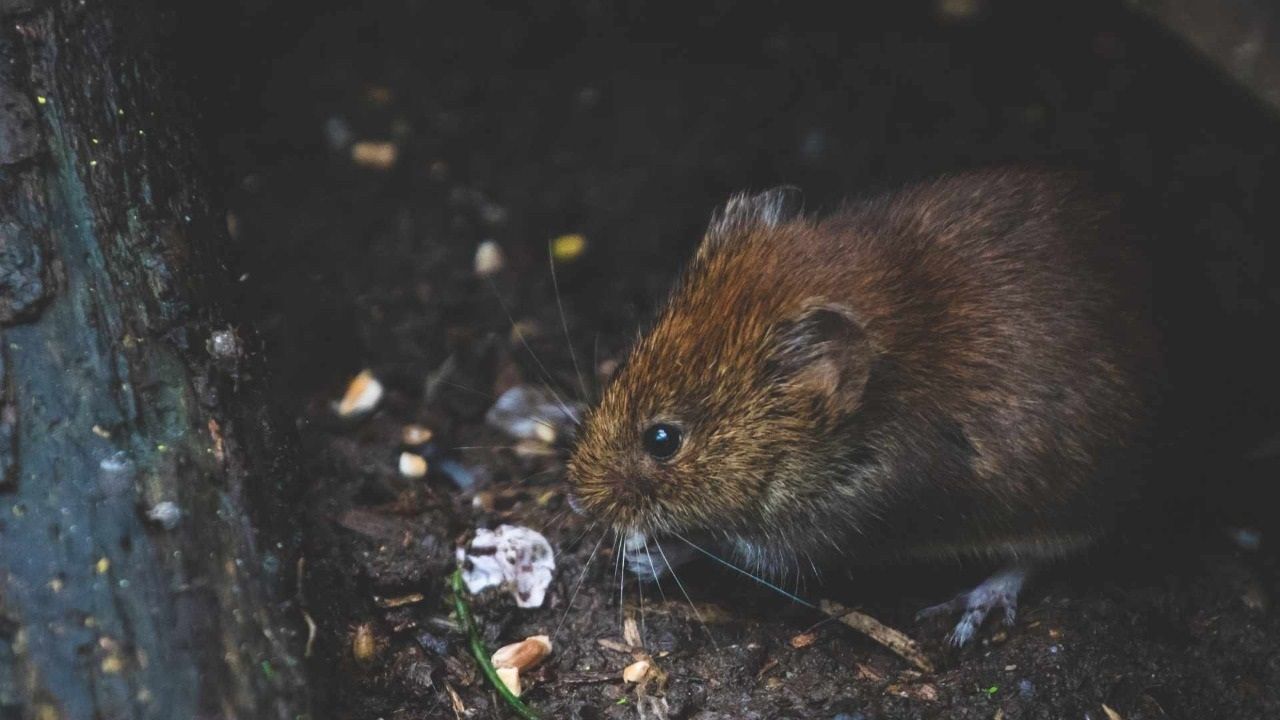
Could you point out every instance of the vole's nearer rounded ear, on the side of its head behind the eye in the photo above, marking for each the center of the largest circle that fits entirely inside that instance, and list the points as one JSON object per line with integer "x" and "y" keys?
{"x": 825, "y": 350}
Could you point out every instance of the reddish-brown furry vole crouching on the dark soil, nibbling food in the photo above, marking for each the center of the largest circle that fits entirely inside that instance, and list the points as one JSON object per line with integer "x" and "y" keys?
{"x": 963, "y": 368}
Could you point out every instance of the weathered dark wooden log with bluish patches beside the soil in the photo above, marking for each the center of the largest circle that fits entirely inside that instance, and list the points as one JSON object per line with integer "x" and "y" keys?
{"x": 147, "y": 549}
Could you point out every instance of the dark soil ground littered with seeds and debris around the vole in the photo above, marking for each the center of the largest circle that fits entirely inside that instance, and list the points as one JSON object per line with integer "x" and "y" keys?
{"x": 628, "y": 125}
